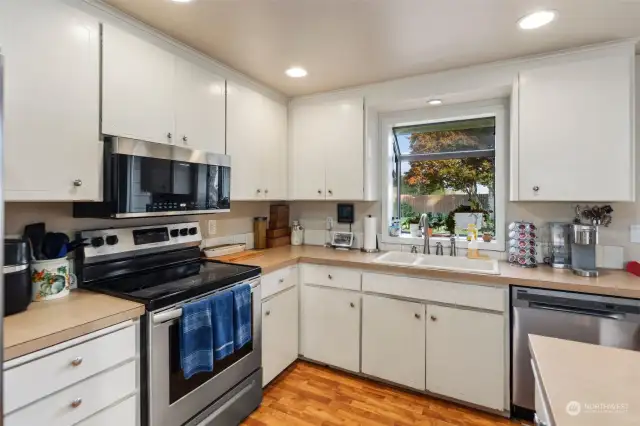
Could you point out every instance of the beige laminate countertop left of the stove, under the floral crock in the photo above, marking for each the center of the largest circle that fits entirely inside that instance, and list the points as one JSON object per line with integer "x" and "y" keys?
{"x": 46, "y": 324}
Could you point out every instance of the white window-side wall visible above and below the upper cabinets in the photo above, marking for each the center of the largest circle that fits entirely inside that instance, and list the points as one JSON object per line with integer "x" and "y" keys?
{"x": 464, "y": 85}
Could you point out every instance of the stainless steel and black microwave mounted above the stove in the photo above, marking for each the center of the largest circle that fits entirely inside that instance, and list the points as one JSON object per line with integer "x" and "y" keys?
{"x": 143, "y": 179}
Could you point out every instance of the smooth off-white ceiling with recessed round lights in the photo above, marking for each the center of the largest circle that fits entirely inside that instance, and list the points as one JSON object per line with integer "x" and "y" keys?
{"x": 344, "y": 43}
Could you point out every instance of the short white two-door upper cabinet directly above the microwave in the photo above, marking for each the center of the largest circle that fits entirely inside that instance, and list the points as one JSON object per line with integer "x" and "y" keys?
{"x": 153, "y": 95}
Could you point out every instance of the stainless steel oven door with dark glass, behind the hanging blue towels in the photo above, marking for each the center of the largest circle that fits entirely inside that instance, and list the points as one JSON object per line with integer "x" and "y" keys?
{"x": 174, "y": 400}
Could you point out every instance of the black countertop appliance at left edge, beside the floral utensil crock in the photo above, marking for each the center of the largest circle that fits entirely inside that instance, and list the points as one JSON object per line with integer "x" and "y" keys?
{"x": 17, "y": 276}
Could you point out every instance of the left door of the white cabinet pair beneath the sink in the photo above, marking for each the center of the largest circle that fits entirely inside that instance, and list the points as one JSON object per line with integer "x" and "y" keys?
{"x": 393, "y": 340}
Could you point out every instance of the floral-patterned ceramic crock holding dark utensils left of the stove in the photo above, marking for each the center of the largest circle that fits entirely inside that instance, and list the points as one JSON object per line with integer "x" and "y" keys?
{"x": 51, "y": 279}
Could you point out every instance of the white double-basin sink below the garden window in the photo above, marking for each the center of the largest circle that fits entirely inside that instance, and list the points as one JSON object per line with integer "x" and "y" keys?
{"x": 448, "y": 263}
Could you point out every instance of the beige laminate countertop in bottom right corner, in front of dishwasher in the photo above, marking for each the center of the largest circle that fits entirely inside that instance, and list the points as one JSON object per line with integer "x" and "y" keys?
{"x": 601, "y": 383}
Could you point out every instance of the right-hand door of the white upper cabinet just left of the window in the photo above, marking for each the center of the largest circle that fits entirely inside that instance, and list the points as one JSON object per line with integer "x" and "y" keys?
{"x": 344, "y": 155}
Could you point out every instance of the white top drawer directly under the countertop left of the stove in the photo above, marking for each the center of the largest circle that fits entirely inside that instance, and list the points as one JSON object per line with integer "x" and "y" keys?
{"x": 61, "y": 369}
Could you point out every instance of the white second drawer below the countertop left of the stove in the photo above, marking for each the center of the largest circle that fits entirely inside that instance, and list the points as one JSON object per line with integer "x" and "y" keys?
{"x": 94, "y": 394}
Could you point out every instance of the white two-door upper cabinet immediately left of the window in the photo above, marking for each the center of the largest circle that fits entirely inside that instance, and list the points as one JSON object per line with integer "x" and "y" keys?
{"x": 327, "y": 150}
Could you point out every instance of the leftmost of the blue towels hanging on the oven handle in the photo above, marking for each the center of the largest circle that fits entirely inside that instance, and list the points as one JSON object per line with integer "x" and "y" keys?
{"x": 196, "y": 338}
